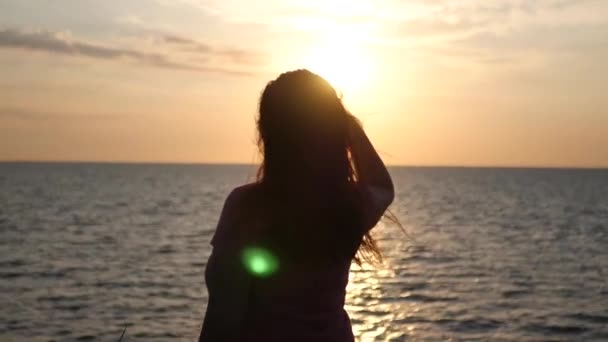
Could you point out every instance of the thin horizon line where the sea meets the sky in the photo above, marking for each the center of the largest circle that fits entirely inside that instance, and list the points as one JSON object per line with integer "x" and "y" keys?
{"x": 446, "y": 166}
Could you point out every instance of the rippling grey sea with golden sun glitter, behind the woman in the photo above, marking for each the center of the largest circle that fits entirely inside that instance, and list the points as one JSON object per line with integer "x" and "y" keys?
{"x": 493, "y": 254}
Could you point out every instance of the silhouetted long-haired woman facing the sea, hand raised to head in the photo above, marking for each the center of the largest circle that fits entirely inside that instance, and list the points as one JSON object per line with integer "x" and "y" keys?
{"x": 284, "y": 244}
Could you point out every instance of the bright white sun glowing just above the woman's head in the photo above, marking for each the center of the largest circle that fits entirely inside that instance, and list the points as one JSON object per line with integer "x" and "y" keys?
{"x": 346, "y": 66}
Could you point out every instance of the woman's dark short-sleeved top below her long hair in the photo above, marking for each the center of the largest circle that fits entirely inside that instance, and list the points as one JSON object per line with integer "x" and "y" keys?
{"x": 299, "y": 302}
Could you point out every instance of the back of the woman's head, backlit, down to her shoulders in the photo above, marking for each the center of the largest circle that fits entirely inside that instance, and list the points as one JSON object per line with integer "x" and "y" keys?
{"x": 302, "y": 129}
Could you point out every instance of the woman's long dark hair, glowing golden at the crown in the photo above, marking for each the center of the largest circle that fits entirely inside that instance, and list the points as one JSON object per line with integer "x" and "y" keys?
{"x": 307, "y": 167}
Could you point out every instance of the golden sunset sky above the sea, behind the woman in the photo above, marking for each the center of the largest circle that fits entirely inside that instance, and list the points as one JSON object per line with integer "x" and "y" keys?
{"x": 461, "y": 82}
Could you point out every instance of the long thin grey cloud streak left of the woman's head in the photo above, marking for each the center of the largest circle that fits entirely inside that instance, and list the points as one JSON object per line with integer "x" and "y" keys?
{"x": 63, "y": 44}
